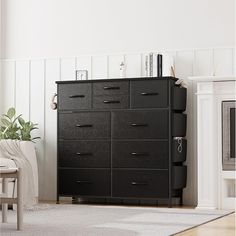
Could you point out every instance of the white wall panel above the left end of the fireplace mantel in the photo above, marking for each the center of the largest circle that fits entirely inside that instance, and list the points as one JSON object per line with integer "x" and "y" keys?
{"x": 204, "y": 62}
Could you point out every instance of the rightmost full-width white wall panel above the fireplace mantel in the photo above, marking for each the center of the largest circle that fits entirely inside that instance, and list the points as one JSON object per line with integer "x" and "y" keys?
{"x": 223, "y": 61}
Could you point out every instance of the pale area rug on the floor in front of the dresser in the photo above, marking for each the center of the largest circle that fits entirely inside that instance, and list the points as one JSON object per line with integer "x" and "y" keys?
{"x": 94, "y": 220}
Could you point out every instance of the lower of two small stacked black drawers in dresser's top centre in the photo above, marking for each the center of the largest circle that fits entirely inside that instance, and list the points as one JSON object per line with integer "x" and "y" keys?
{"x": 111, "y": 102}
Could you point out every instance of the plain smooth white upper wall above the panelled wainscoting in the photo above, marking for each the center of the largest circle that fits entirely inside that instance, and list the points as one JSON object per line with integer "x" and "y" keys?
{"x": 62, "y": 28}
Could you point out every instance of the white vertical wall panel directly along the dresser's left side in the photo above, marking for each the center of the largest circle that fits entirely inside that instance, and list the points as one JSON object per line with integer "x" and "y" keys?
{"x": 52, "y": 74}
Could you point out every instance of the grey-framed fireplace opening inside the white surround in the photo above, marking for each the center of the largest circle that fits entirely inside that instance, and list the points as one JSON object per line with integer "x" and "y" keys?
{"x": 228, "y": 131}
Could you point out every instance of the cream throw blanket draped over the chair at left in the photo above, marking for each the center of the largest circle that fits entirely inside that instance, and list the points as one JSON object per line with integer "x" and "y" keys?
{"x": 11, "y": 149}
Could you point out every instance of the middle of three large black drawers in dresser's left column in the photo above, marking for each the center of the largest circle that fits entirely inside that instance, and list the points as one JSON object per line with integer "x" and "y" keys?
{"x": 84, "y": 154}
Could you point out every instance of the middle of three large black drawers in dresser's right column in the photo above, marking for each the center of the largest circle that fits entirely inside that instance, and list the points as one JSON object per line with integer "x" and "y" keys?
{"x": 140, "y": 154}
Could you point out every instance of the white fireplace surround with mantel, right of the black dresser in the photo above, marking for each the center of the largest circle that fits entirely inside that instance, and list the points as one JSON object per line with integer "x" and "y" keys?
{"x": 216, "y": 188}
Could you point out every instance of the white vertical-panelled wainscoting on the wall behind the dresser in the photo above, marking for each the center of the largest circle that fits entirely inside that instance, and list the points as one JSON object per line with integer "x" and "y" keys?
{"x": 29, "y": 84}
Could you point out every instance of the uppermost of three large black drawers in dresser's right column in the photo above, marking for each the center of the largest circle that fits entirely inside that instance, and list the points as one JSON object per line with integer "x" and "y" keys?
{"x": 140, "y": 124}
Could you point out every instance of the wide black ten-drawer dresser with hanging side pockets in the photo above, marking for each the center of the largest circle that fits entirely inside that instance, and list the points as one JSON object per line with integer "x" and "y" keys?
{"x": 121, "y": 138}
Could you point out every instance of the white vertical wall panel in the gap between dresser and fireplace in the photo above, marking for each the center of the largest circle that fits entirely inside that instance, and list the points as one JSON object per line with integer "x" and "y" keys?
{"x": 184, "y": 64}
